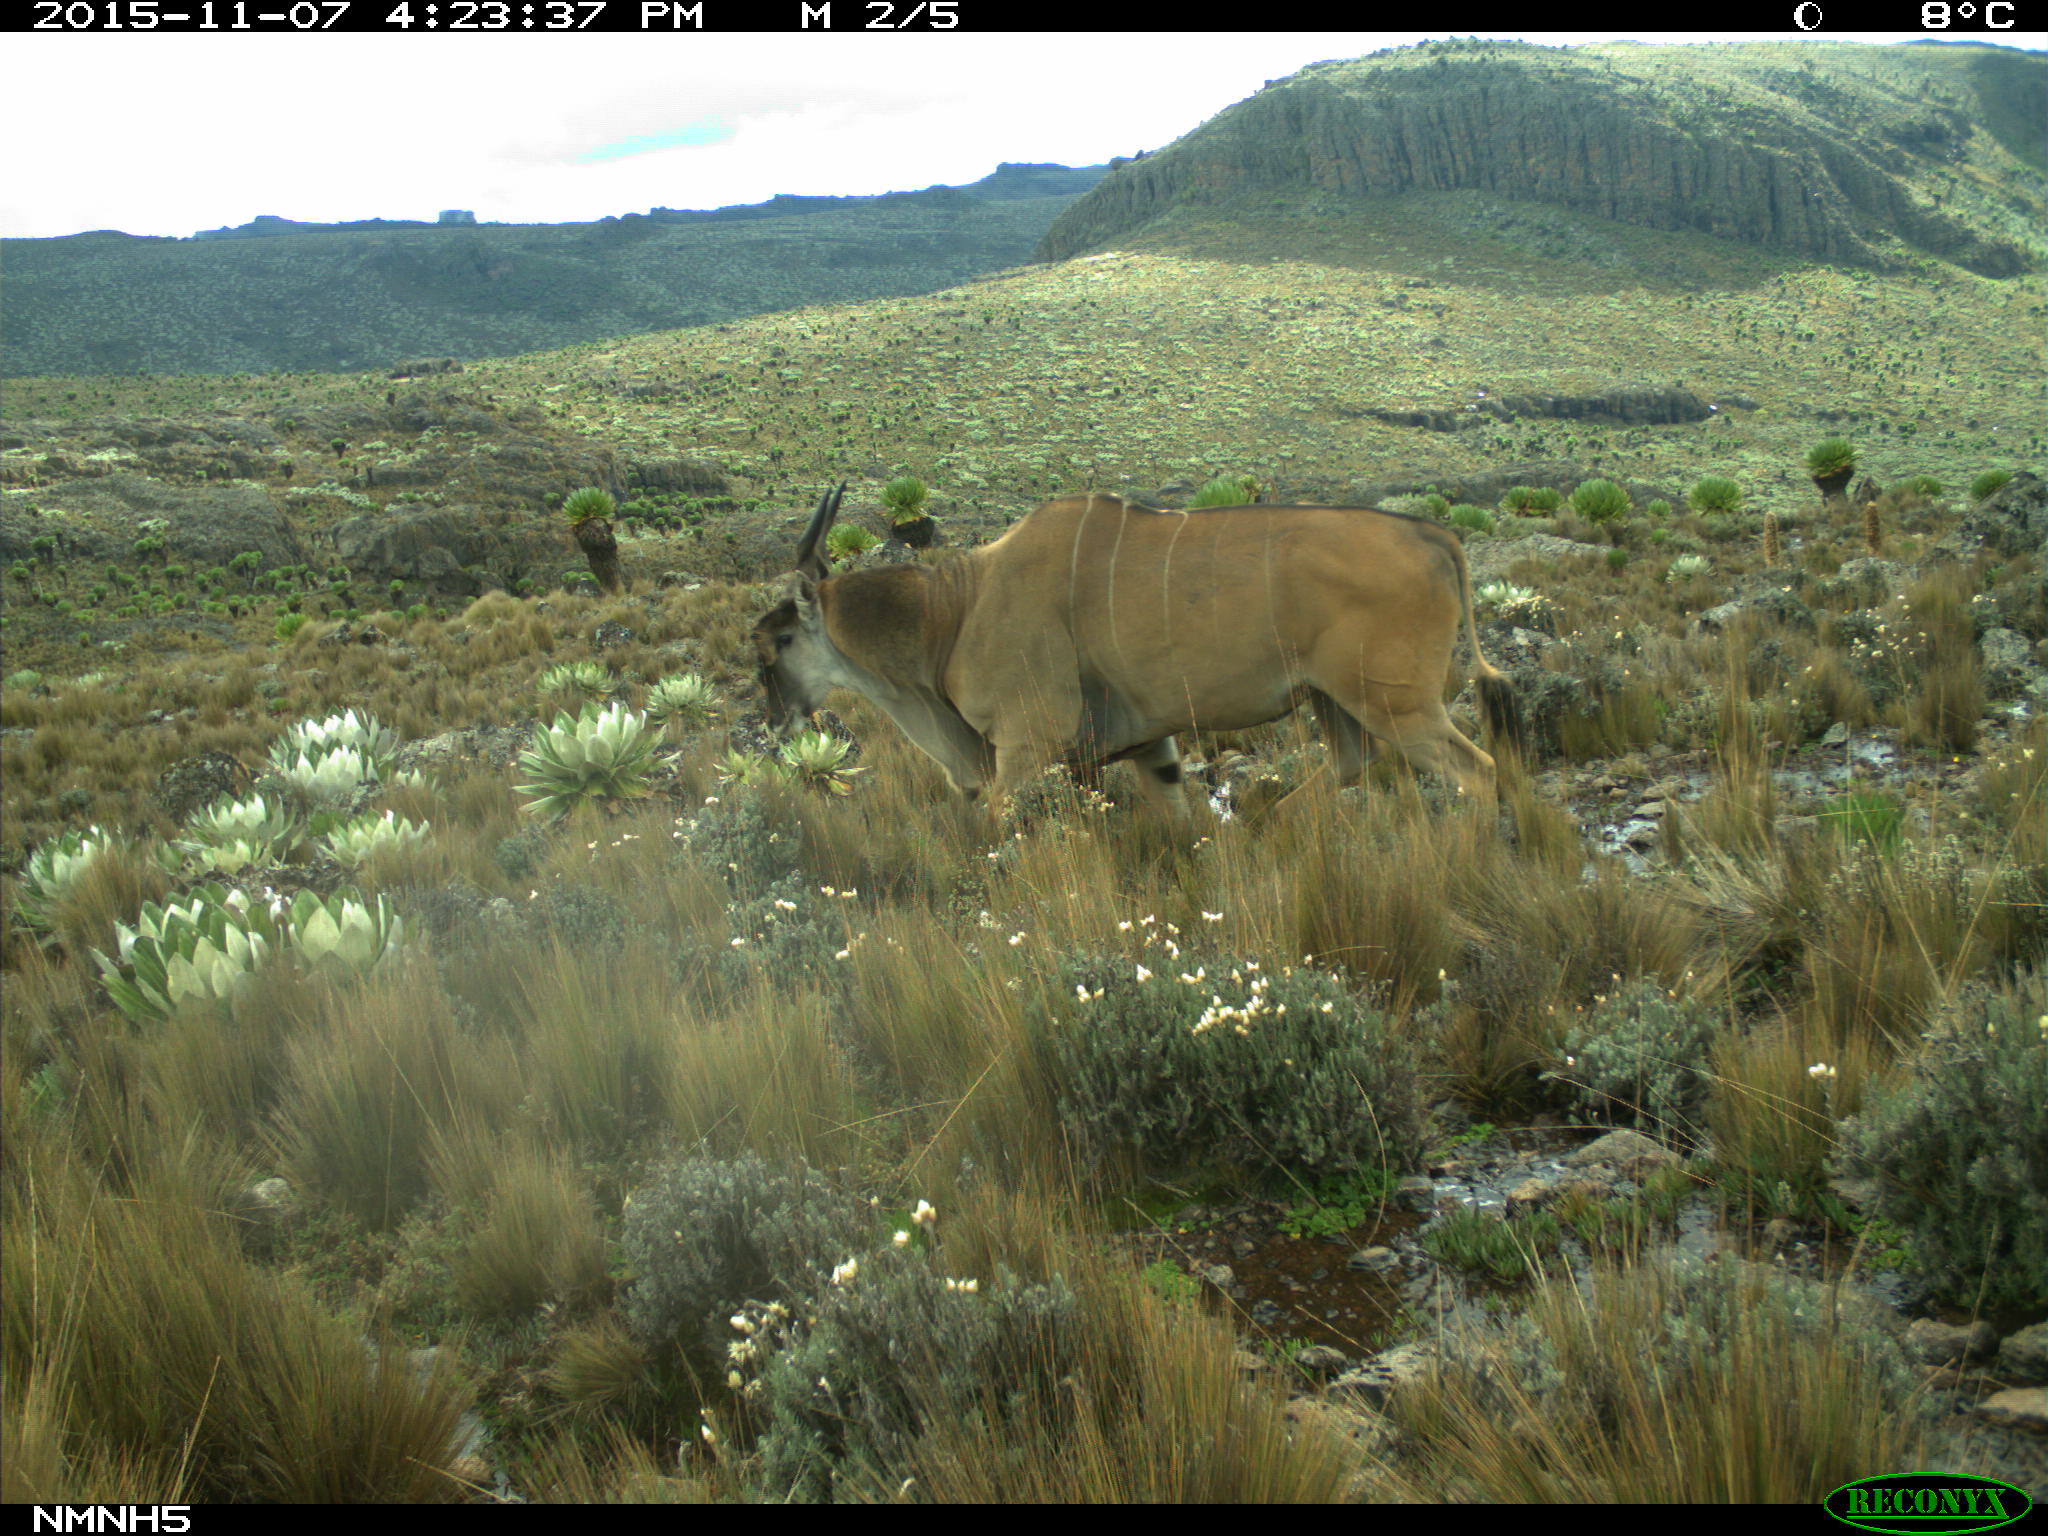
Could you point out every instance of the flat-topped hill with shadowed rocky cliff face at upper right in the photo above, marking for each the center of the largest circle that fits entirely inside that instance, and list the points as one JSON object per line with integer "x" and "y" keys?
{"x": 1836, "y": 153}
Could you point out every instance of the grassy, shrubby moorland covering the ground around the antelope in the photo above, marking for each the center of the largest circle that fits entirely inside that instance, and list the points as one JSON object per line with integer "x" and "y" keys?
{"x": 452, "y": 1054}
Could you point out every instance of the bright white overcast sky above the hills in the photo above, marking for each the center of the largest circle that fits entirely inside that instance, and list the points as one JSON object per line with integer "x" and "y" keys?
{"x": 161, "y": 134}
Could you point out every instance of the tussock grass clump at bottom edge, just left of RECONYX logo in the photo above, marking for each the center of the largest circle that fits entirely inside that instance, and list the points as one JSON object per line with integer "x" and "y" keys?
{"x": 1705, "y": 1383}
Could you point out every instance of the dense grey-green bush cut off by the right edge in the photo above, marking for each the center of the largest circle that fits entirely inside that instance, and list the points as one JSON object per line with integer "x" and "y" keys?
{"x": 1961, "y": 1152}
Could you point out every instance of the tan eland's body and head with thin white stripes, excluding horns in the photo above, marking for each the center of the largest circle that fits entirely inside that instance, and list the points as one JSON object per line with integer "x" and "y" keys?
{"x": 1097, "y": 632}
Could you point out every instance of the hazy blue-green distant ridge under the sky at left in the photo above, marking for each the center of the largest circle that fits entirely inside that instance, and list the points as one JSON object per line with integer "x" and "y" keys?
{"x": 278, "y": 296}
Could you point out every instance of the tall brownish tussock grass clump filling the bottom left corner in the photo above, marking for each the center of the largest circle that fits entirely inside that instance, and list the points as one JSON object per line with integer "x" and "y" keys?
{"x": 255, "y": 1394}
